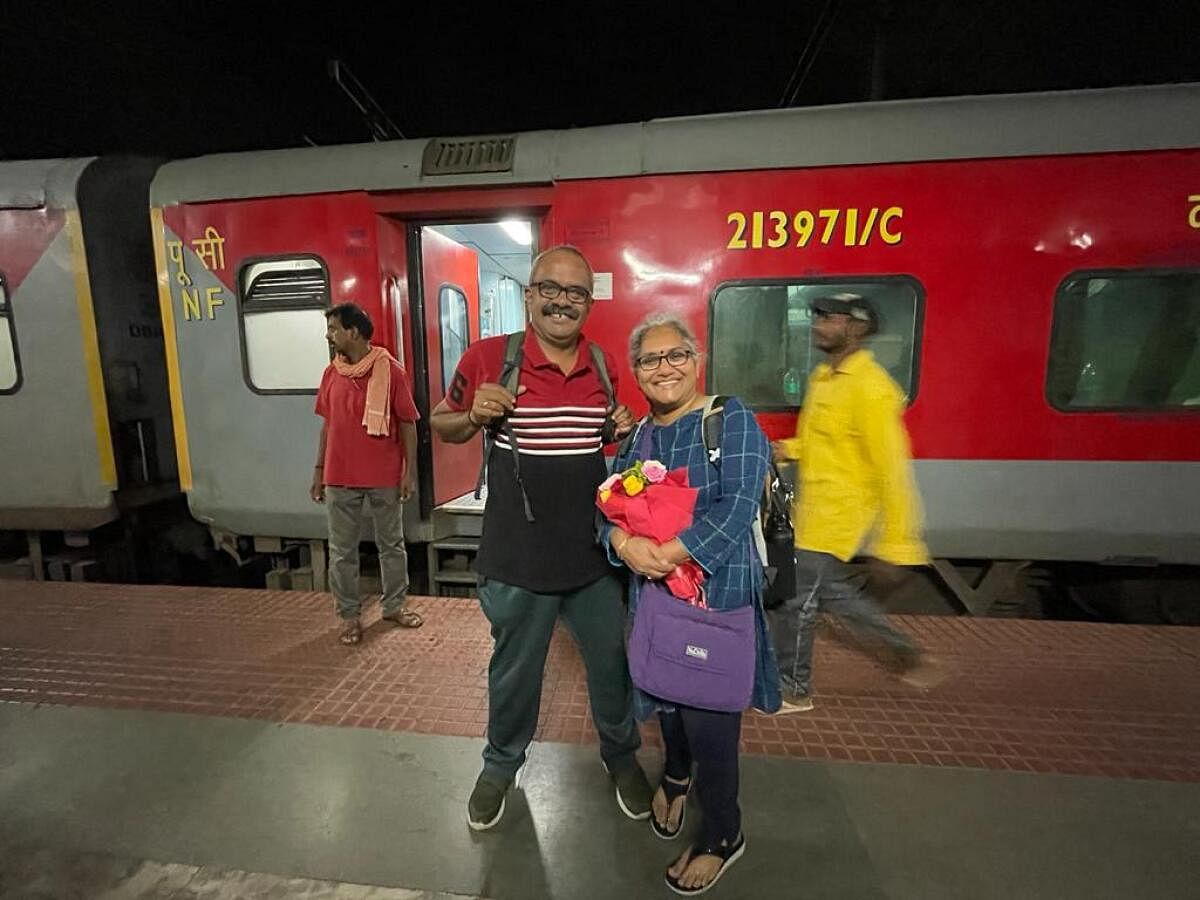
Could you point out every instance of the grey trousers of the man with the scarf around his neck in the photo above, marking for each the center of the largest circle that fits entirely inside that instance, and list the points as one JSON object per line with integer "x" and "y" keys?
{"x": 347, "y": 509}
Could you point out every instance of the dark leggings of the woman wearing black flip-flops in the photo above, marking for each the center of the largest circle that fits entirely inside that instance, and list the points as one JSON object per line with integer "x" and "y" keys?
{"x": 711, "y": 741}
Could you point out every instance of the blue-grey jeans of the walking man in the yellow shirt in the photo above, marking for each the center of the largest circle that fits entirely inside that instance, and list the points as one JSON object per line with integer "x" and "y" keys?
{"x": 825, "y": 584}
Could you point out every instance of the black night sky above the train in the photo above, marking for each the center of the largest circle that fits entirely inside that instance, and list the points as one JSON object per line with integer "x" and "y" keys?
{"x": 181, "y": 80}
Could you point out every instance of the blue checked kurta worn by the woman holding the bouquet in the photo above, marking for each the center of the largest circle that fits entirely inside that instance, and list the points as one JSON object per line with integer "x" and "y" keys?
{"x": 721, "y": 538}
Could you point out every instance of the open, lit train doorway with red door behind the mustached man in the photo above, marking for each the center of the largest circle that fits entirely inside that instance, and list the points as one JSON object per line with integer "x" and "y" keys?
{"x": 460, "y": 278}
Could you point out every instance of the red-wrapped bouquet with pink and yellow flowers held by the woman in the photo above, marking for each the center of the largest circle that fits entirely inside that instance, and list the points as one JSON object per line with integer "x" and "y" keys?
{"x": 646, "y": 501}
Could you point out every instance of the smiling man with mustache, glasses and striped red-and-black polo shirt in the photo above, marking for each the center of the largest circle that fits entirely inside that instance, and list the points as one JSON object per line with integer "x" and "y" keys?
{"x": 538, "y": 557}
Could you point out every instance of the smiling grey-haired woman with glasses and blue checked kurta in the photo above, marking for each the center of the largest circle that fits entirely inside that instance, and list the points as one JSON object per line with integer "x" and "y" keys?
{"x": 665, "y": 358}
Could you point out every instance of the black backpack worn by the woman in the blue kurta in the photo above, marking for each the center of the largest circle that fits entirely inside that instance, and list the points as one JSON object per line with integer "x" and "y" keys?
{"x": 773, "y": 527}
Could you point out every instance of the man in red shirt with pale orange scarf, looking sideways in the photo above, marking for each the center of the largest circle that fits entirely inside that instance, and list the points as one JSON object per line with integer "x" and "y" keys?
{"x": 367, "y": 465}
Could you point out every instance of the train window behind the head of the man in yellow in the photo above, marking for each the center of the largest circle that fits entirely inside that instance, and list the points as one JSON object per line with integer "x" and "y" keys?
{"x": 761, "y": 341}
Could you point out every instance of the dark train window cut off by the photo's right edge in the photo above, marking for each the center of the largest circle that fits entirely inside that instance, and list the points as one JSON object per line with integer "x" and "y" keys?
{"x": 1126, "y": 340}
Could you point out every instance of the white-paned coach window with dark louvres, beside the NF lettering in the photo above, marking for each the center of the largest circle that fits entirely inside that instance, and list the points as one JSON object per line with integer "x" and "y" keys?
{"x": 284, "y": 305}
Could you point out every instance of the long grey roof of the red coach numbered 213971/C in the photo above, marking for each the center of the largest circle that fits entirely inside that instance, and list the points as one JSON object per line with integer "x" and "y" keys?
{"x": 1119, "y": 119}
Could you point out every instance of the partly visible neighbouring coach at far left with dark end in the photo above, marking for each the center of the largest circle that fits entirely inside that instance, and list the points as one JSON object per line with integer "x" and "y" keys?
{"x": 85, "y": 404}
